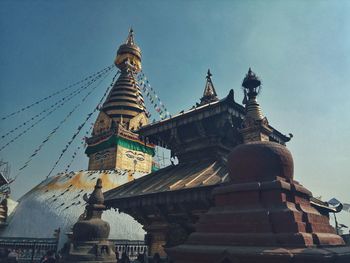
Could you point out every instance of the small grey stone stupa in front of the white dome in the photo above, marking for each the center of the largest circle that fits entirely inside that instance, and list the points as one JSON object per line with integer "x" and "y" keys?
{"x": 89, "y": 241}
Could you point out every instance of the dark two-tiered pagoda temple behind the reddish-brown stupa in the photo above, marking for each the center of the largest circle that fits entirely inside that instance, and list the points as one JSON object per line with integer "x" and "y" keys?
{"x": 169, "y": 201}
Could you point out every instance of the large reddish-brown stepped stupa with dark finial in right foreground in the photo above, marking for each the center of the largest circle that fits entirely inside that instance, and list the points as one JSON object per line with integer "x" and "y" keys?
{"x": 262, "y": 214}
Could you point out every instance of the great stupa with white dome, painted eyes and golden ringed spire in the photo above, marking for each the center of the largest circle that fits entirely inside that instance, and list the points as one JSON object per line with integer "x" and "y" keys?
{"x": 116, "y": 154}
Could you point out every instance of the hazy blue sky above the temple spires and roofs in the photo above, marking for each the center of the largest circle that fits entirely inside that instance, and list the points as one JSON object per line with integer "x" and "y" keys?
{"x": 300, "y": 49}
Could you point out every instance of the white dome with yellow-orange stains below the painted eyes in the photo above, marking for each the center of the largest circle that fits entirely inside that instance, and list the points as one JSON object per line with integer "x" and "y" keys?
{"x": 57, "y": 202}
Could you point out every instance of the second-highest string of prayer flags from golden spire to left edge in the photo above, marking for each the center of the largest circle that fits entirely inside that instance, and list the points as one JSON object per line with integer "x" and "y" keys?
{"x": 64, "y": 100}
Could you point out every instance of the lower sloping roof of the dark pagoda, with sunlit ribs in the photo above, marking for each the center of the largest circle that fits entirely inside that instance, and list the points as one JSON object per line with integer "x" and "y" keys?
{"x": 184, "y": 176}
